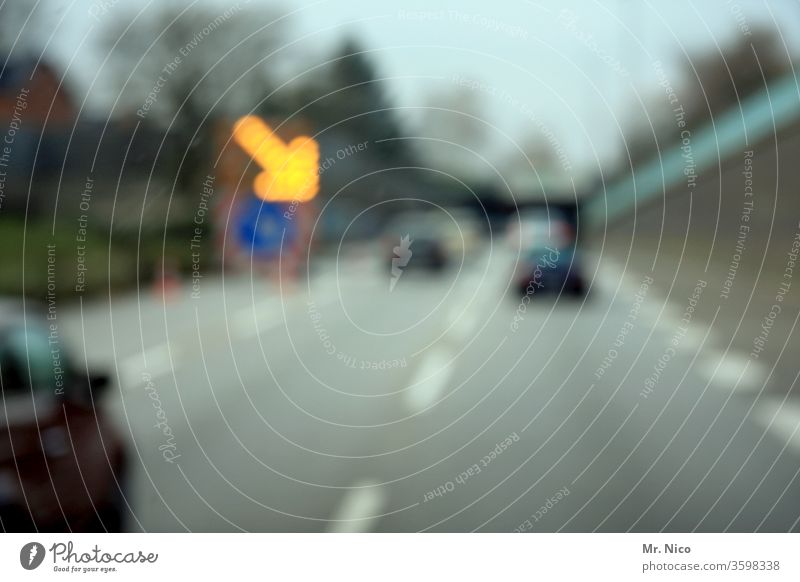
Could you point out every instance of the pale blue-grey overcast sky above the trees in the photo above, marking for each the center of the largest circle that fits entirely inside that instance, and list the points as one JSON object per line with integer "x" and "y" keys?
{"x": 540, "y": 67}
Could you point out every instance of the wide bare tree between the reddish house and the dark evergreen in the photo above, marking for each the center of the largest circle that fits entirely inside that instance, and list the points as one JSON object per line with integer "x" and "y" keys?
{"x": 184, "y": 69}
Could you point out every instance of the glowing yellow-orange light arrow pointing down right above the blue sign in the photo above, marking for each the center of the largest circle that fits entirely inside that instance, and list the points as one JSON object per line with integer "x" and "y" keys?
{"x": 290, "y": 171}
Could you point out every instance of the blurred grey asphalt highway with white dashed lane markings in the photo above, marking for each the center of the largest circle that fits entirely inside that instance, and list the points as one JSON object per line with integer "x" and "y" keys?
{"x": 460, "y": 420}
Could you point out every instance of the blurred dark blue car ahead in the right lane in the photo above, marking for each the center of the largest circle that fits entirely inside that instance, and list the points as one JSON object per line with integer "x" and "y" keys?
{"x": 549, "y": 260}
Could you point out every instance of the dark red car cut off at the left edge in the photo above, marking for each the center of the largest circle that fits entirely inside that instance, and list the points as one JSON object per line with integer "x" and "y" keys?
{"x": 61, "y": 462}
